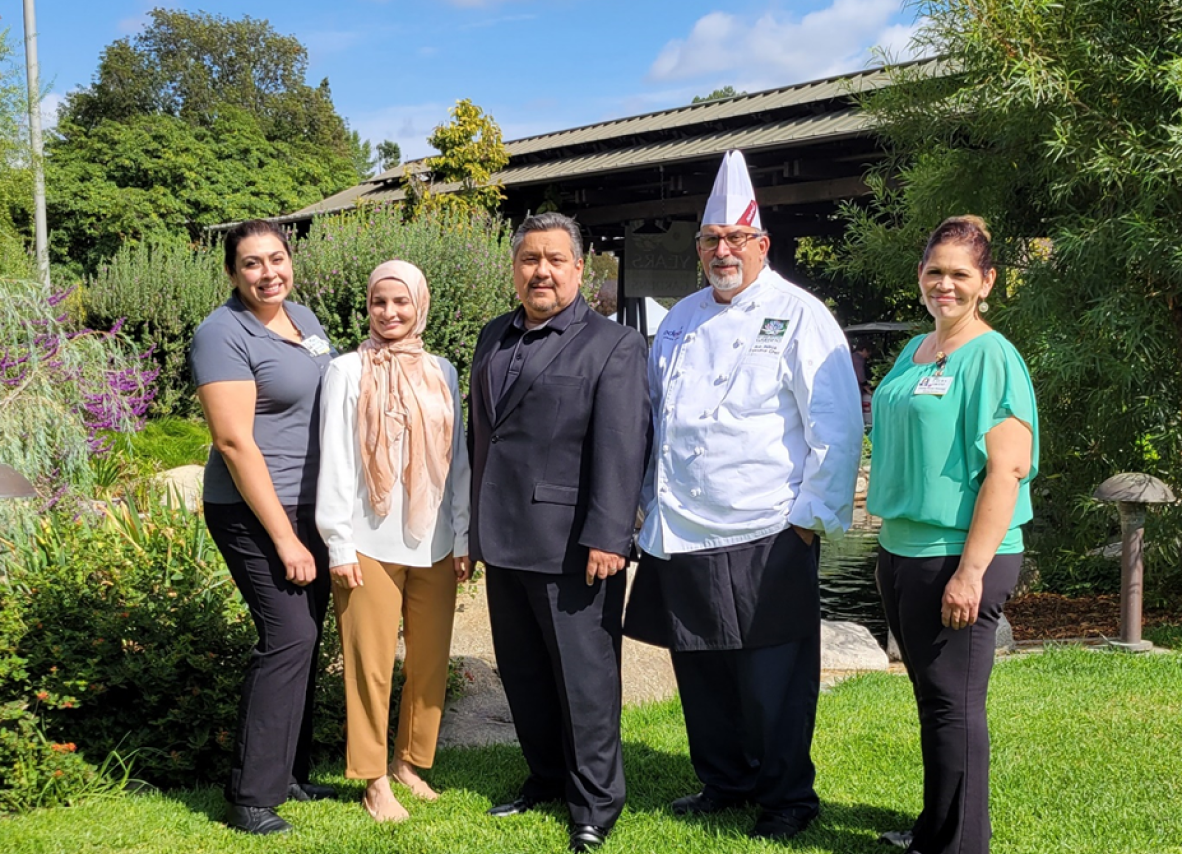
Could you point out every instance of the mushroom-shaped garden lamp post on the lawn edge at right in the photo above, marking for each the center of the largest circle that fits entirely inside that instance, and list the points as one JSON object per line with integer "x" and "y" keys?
{"x": 1133, "y": 492}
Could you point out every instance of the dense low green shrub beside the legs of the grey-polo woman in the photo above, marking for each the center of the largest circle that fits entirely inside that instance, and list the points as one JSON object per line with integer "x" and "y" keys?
{"x": 126, "y": 634}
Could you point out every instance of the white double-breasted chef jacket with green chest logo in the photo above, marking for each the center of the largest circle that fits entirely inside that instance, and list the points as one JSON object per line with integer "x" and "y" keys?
{"x": 758, "y": 421}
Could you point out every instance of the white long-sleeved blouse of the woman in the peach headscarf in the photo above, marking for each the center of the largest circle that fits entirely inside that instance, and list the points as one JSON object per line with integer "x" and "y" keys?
{"x": 343, "y": 513}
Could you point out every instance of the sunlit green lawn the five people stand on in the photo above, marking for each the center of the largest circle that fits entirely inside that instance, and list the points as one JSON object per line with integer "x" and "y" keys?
{"x": 1087, "y": 751}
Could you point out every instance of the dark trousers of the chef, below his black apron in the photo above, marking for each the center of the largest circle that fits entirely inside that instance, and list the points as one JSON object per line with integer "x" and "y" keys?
{"x": 750, "y": 716}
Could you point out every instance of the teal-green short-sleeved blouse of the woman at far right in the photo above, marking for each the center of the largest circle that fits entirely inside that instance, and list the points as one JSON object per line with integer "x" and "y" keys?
{"x": 928, "y": 461}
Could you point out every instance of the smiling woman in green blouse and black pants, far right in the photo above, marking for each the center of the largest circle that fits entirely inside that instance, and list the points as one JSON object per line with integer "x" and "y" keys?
{"x": 956, "y": 447}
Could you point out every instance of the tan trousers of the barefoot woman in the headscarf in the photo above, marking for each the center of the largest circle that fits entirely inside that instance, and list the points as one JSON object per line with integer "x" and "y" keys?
{"x": 368, "y": 618}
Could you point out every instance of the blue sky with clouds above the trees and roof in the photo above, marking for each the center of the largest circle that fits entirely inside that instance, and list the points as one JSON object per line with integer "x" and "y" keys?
{"x": 397, "y": 67}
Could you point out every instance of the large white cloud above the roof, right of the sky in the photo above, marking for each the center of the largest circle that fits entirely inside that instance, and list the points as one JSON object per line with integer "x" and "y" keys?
{"x": 776, "y": 50}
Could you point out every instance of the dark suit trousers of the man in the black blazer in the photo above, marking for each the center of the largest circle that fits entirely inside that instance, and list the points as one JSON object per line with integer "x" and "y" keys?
{"x": 557, "y": 643}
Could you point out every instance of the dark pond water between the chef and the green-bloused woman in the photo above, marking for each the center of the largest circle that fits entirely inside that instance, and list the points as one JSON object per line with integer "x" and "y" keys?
{"x": 848, "y": 590}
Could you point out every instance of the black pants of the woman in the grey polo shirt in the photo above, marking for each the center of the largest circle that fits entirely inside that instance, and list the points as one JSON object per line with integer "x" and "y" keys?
{"x": 275, "y": 726}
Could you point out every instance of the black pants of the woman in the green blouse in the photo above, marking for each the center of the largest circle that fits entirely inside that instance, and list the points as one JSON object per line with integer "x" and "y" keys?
{"x": 950, "y": 672}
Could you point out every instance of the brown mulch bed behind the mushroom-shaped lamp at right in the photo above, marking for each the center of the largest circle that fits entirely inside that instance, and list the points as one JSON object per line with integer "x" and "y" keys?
{"x": 1053, "y": 617}
